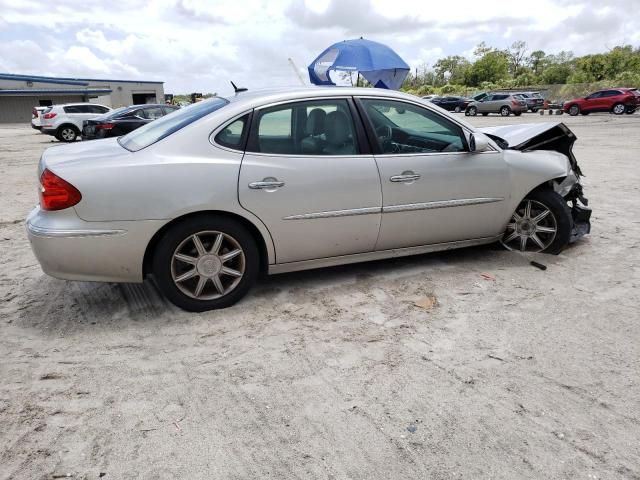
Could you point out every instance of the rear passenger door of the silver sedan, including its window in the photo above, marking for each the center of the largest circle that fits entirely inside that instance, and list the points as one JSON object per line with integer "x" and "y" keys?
{"x": 309, "y": 177}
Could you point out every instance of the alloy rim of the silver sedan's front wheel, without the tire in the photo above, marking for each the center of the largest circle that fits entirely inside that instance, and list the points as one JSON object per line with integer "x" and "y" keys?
{"x": 532, "y": 228}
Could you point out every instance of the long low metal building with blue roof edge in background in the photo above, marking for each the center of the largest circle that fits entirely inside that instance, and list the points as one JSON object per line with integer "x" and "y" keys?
{"x": 20, "y": 93}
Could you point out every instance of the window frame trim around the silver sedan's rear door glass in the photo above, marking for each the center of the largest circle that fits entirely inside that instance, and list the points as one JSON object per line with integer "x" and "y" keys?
{"x": 362, "y": 141}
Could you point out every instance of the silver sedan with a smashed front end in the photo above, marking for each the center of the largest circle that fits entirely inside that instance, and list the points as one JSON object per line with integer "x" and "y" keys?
{"x": 207, "y": 198}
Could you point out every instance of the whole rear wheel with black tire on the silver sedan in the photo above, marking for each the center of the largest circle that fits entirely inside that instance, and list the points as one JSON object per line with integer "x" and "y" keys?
{"x": 217, "y": 289}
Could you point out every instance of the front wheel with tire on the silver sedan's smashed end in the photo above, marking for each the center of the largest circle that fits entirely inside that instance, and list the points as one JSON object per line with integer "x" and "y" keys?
{"x": 557, "y": 224}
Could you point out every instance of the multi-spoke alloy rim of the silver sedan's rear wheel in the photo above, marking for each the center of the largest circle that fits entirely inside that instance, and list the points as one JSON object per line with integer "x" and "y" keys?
{"x": 208, "y": 265}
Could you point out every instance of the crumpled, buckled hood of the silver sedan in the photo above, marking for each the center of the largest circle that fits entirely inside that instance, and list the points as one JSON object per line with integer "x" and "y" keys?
{"x": 553, "y": 136}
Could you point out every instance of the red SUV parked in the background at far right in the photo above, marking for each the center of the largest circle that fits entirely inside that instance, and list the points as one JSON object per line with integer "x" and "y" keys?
{"x": 614, "y": 100}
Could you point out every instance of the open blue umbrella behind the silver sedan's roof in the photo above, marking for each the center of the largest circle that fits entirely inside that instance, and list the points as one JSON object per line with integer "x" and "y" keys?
{"x": 380, "y": 65}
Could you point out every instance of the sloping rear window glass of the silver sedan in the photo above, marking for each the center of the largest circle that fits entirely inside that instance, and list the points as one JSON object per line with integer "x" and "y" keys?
{"x": 165, "y": 126}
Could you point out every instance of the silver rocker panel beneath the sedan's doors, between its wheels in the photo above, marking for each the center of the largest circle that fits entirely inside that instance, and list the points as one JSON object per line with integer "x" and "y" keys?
{"x": 380, "y": 255}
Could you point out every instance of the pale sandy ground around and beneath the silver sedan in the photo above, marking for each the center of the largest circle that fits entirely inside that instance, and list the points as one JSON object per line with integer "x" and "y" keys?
{"x": 335, "y": 374}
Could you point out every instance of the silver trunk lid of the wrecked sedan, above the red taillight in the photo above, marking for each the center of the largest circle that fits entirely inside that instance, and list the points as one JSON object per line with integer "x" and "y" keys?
{"x": 85, "y": 151}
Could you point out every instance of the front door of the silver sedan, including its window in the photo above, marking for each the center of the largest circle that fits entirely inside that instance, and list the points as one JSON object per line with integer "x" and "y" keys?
{"x": 434, "y": 190}
